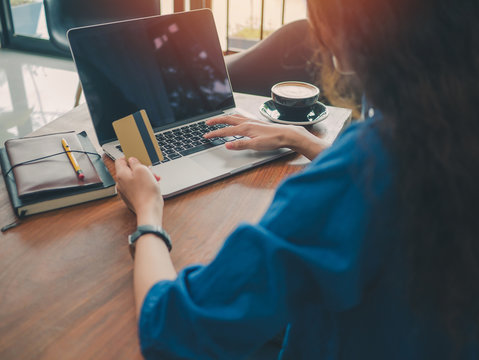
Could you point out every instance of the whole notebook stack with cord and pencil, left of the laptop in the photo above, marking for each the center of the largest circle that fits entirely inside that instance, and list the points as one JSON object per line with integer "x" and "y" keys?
{"x": 52, "y": 183}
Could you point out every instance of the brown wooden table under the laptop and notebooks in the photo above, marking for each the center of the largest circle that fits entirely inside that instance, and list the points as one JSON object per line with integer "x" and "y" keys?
{"x": 66, "y": 276}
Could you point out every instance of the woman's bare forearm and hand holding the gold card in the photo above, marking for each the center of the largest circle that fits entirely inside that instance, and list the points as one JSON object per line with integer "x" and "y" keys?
{"x": 140, "y": 190}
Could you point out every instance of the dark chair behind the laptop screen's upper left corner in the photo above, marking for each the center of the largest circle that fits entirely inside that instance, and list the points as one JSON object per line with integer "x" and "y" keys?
{"x": 62, "y": 15}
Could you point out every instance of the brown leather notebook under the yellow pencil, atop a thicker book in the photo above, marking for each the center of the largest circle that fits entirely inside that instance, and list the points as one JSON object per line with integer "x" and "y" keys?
{"x": 54, "y": 173}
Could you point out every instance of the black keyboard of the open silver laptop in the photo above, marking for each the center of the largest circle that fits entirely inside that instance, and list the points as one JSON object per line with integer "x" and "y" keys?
{"x": 188, "y": 140}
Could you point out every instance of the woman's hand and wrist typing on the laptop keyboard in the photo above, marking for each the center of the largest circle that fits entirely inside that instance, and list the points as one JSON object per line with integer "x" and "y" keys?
{"x": 264, "y": 136}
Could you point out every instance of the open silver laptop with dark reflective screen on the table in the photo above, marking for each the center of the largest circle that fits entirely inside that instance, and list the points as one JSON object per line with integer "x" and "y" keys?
{"x": 172, "y": 66}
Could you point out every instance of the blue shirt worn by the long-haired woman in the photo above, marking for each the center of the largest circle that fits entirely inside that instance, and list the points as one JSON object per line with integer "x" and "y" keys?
{"x": 322, "y": 263}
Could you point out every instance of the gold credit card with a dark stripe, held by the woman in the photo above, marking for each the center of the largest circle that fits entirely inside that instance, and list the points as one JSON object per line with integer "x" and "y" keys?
{"x": 137, "y": 138}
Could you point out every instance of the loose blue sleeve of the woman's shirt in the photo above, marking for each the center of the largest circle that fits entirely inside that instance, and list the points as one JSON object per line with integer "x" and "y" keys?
{"x": 306, "y": 249}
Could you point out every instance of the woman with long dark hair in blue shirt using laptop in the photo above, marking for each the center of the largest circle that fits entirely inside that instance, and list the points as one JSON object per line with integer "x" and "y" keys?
{"x": 372, "y": 251}
